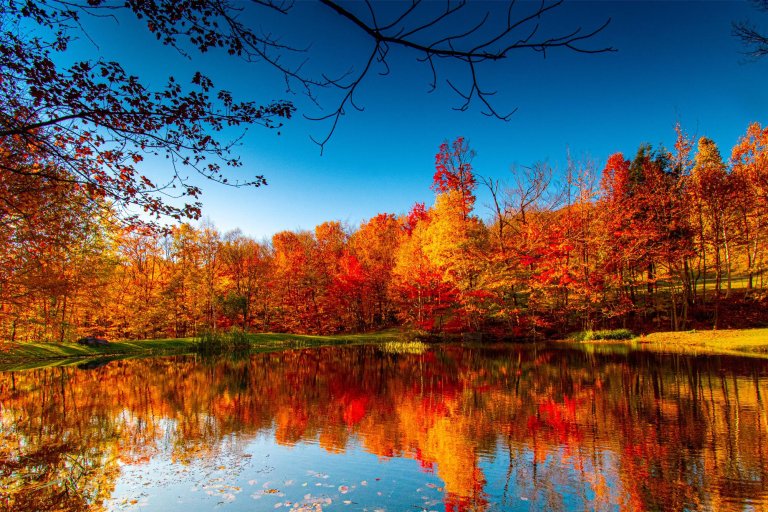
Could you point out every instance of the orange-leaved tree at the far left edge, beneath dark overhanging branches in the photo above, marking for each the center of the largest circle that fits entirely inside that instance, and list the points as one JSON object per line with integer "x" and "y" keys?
{"x": 56, "y": 249}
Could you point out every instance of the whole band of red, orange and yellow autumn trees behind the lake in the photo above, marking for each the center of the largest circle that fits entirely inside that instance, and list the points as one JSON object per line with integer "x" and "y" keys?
{"x": 658, "y": 241}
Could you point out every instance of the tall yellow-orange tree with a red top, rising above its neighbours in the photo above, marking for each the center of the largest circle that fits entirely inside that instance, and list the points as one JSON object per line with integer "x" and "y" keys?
{"x": 438, "y": 268}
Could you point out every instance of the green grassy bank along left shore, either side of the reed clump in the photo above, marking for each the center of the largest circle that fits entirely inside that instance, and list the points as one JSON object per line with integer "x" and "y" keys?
{"x": 18, "y": 356}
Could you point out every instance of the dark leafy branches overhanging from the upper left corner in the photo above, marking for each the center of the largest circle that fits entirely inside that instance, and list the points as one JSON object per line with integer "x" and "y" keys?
{"x": 91, "y": 123}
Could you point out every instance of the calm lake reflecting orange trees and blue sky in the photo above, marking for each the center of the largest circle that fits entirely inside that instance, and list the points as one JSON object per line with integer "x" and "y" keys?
{"x": 393, "y": 428}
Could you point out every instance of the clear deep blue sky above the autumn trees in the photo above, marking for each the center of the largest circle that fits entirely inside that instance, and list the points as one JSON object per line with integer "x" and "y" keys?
{"x": 675, "y": 61}
